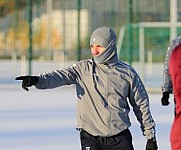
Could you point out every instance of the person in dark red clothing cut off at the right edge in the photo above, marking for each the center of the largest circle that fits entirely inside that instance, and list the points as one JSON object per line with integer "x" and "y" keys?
{"x": 175, "y": 72}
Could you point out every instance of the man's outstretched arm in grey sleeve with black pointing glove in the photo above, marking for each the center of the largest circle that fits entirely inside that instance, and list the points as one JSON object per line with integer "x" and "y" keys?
{"x": 53, "y": 79}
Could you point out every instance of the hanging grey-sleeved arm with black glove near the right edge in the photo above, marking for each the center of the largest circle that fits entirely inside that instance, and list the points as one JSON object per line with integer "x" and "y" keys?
{"x": 167, "y": 87}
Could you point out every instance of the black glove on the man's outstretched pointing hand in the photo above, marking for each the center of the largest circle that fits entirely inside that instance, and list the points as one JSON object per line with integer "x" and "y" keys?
{"x": 28, "y": 81}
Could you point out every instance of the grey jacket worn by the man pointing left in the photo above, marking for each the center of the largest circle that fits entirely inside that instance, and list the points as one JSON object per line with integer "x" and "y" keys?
{"x": 104, "y": 94}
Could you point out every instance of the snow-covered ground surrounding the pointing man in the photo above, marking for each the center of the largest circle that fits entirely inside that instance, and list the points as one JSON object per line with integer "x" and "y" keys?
{"x": 46, "y": 119}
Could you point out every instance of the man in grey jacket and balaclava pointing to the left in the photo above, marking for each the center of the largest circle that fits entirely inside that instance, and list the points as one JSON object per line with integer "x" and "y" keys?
{"x": 105, "y": 88}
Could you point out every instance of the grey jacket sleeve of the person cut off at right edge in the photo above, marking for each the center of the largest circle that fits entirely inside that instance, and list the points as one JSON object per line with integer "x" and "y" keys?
{"x": 167, "y": 83}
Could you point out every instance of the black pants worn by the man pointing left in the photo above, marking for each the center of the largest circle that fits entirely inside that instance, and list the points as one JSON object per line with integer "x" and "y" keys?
{"x": 121, "y": 141}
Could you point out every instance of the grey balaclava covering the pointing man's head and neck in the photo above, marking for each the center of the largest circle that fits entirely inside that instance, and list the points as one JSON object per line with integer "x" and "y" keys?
{"x": 105, "y": 37}
